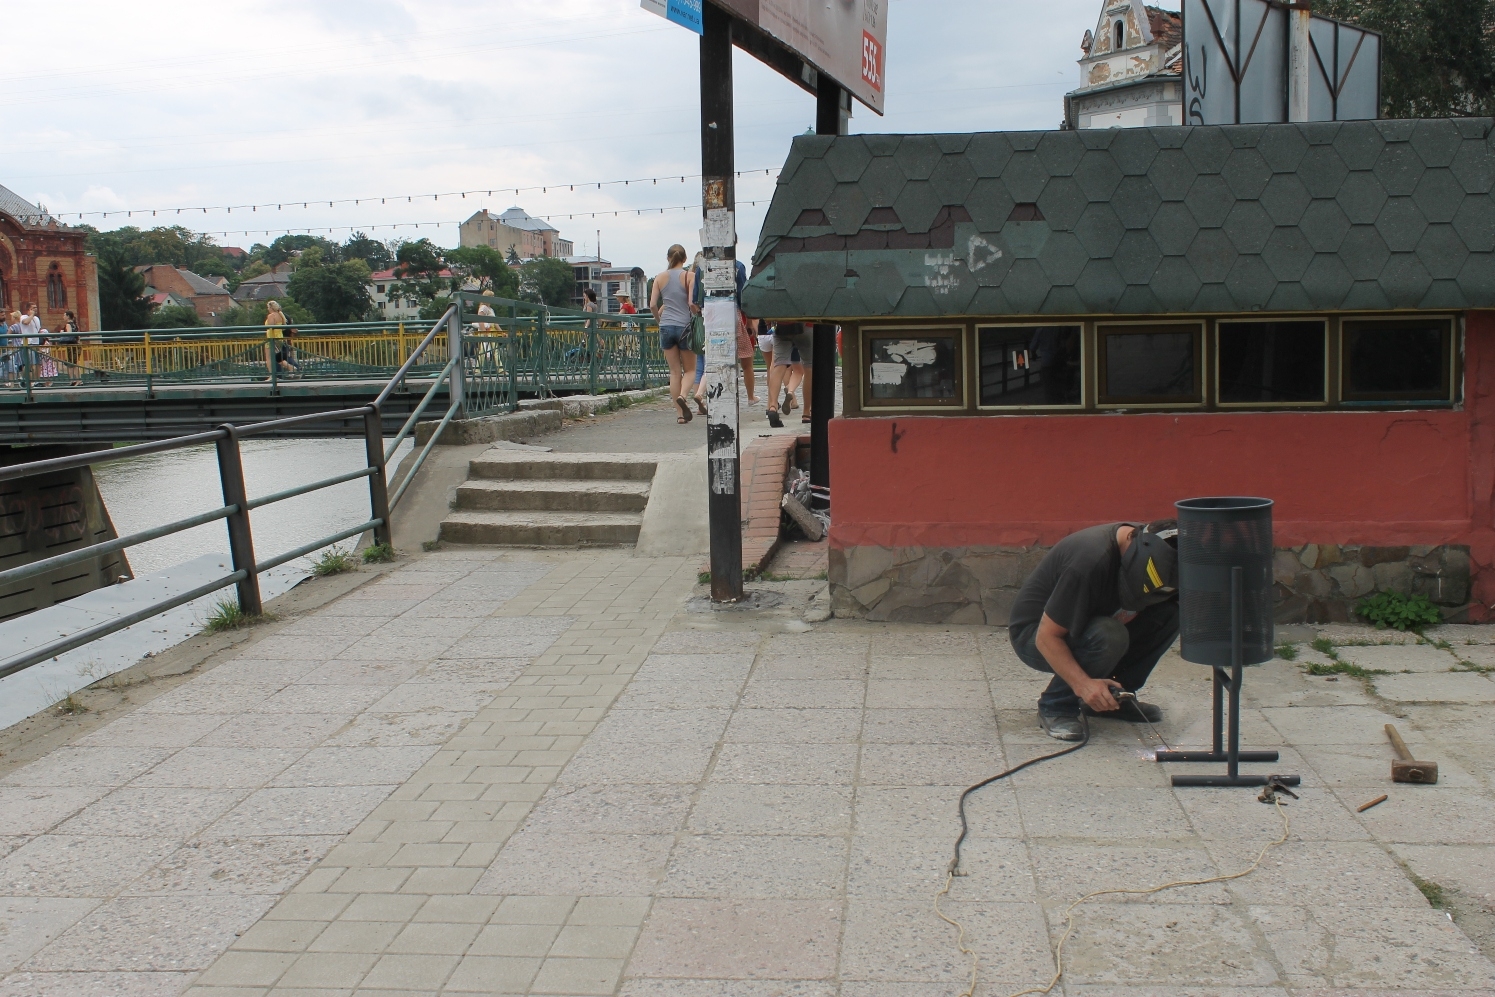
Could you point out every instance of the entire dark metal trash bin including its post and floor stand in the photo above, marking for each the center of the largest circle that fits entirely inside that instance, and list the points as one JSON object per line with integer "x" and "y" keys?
{"x": 1225, "y": 620}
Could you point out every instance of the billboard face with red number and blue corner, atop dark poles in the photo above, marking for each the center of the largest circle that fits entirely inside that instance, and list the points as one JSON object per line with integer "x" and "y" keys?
{"x": 845, "y": 40}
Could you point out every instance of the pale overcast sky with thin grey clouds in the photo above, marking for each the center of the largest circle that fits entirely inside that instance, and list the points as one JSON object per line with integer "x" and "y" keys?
{"x": 209, "y": 104}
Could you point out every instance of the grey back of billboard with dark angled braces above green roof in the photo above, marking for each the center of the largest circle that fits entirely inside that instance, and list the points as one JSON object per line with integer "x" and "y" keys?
{"x": 1237, "y": 65}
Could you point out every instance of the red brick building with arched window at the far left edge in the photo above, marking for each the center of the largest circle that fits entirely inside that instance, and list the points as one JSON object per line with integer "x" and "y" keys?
{"x": 46, "y": 262}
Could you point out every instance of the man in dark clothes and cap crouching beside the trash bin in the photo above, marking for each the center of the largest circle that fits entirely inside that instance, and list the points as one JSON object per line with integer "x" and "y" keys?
{"x": 1098, "y": 614}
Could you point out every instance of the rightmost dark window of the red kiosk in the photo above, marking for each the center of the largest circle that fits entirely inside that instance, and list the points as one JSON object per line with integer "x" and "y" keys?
{"x": 1399, "y": 361}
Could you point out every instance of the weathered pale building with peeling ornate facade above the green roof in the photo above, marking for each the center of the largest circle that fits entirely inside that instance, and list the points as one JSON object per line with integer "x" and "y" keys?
{"x": 1131, "y": 74}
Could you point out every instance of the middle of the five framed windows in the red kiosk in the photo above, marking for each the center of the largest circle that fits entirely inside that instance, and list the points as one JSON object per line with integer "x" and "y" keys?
{"x": 1149, "y": 365}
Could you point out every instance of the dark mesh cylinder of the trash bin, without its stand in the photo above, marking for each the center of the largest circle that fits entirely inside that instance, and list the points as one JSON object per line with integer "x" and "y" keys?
{"x": 1216, "y": 536}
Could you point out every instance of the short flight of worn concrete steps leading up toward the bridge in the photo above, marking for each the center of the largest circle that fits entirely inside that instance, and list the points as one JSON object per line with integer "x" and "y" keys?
{"x": 551, "y": 500}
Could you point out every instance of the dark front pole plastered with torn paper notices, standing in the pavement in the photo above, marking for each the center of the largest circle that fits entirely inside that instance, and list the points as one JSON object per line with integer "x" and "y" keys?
{"x": 720, "y": 304}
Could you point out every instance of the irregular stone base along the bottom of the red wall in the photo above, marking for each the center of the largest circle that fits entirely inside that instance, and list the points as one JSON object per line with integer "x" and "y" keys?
{"x": 1316, "y": 584}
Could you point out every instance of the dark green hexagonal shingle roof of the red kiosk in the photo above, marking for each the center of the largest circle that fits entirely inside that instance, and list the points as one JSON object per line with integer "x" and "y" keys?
{"x": 1131, "y": 222}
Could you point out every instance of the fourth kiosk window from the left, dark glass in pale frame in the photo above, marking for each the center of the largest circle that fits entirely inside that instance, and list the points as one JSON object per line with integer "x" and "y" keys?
{"x": 1271, "y": 362}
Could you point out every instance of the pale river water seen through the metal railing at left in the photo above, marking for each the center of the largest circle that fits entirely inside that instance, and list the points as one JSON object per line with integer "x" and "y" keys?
{"x": 153, "y": 491}
